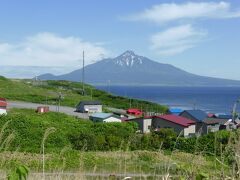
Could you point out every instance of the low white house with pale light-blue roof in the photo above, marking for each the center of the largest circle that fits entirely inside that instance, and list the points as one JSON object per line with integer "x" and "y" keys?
{"x": 104, "y": 117}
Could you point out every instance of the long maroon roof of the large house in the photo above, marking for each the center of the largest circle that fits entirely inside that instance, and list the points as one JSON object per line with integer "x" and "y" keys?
{"x": 182, "y": 121}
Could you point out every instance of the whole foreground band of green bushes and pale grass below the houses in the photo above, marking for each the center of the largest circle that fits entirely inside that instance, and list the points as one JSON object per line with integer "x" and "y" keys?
{"x": 76, "y": 145}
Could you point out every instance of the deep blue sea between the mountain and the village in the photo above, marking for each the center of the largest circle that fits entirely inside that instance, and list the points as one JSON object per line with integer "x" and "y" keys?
{"x": 210, "y": 99}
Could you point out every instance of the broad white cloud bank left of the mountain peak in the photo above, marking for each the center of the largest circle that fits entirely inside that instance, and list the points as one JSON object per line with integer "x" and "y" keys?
{"x": 48, "y": 49}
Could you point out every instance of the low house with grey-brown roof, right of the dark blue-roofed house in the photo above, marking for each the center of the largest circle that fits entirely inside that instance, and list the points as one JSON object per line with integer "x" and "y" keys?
{"x": 215, "y": 124}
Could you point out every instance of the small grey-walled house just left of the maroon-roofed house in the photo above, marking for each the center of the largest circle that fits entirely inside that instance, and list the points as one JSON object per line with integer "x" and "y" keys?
{"x": 144, "y": 124}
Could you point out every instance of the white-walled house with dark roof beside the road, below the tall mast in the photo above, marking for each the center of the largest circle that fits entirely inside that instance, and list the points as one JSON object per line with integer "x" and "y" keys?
{"x": 89, "y": 107}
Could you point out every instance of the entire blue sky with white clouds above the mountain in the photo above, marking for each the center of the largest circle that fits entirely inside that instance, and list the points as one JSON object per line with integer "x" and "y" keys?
{"x": 201, "y": 37}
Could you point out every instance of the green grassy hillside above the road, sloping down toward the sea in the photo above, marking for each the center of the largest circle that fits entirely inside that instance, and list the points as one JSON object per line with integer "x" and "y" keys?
{"x": 47, "y": 91}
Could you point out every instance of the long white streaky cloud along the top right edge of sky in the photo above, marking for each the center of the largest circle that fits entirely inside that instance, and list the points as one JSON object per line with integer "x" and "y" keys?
{"x": 167, "y": 12}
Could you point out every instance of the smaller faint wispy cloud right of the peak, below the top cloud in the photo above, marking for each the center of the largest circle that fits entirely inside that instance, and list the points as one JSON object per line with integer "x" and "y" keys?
{"x": 176, "y": 39}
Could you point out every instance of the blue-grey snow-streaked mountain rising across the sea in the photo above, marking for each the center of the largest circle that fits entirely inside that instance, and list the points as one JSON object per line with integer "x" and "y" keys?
{"x": 132, "y": 69}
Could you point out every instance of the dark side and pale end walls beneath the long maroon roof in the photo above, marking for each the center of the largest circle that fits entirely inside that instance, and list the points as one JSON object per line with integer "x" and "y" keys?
{"x": 161, "y": 123}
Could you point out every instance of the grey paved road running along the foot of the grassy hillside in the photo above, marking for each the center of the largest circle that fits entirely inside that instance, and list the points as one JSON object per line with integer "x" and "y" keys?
{"x": 63, "y": 109}
